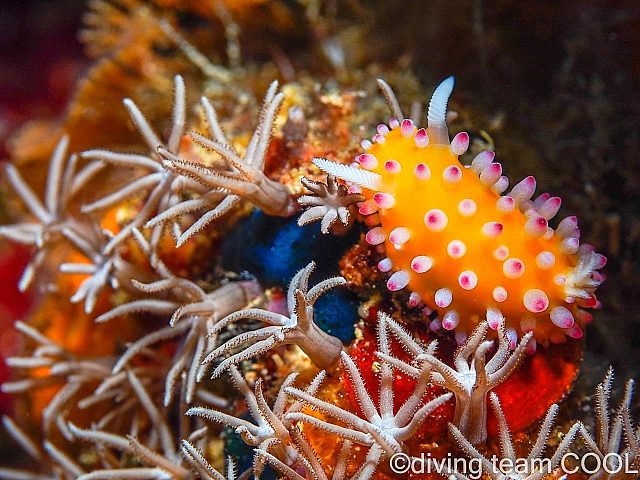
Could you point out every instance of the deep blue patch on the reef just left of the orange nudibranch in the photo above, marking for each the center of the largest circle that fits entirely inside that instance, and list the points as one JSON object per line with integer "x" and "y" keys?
{"x": 274, "y": 249}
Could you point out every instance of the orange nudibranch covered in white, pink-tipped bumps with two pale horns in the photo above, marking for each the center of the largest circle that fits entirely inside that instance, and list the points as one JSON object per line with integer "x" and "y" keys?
{"x": 461, "y": 247}
